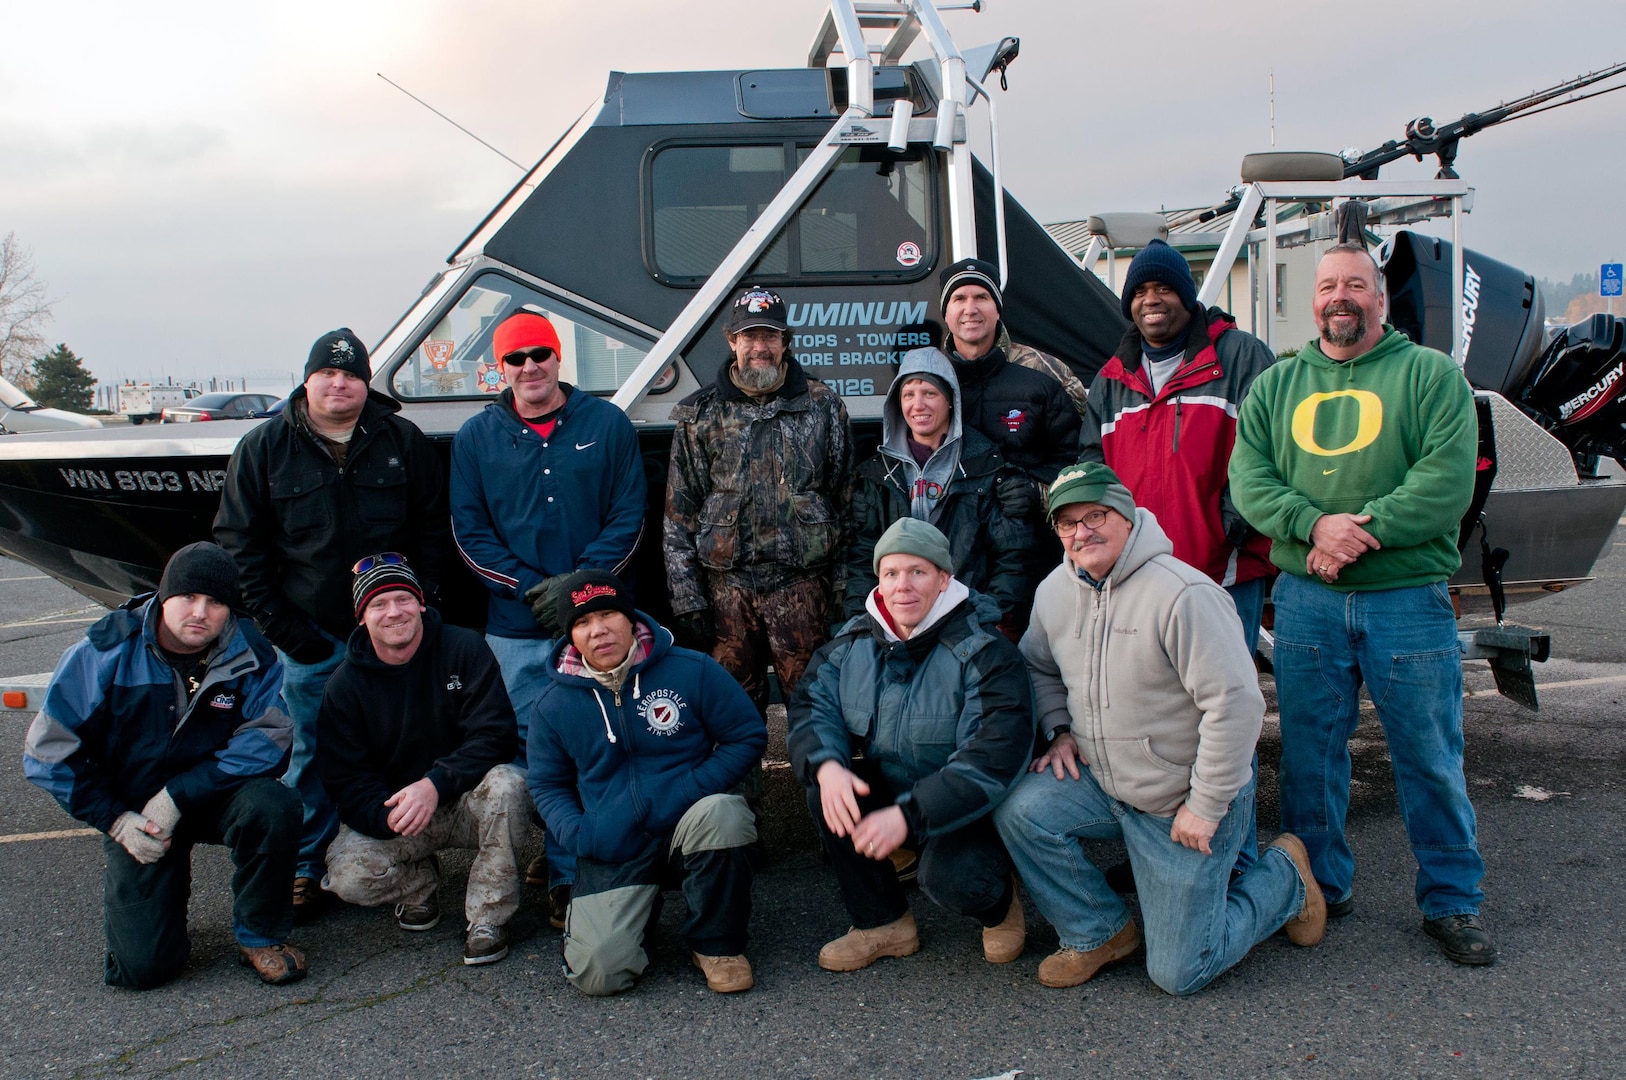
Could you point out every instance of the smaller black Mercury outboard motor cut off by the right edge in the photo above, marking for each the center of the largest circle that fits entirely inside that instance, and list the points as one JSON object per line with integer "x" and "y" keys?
{"x": 1580, "y": 393}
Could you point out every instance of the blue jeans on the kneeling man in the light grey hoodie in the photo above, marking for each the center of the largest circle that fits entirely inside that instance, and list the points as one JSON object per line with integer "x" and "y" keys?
{"x": 1196, "y": 918}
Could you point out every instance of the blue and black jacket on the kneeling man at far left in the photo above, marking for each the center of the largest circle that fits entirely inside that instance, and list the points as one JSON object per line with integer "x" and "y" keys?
{"x": 118, "y": 728}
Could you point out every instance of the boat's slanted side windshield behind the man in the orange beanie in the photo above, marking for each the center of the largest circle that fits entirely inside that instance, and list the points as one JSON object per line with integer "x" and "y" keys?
{"x": 456, "y": 359}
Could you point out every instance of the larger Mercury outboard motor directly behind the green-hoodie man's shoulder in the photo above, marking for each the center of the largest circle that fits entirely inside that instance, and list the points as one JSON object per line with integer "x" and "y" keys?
{"x": 1502, "y": 310}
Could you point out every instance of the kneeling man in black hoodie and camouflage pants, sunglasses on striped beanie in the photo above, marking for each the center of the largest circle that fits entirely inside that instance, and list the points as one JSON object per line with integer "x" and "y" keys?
{"x": 417, "y": 742}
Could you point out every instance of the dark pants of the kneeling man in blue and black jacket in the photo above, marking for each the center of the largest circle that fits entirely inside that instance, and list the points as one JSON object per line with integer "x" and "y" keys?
{"x": 146, "y": 905}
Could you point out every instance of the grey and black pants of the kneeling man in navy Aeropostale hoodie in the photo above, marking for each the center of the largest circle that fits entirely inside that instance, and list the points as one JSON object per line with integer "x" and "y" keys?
{"x": 711, "y": 853}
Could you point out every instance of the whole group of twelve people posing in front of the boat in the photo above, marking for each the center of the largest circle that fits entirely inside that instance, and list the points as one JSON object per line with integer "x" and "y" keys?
{"x": 1028, "y": 621}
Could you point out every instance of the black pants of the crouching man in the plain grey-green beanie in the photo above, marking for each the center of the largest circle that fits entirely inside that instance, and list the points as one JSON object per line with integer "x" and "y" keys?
{"x": 967, "y": 871}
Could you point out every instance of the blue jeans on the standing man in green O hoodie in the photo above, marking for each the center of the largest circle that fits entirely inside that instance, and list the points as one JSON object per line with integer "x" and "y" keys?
{"x": 1402, "y": 643}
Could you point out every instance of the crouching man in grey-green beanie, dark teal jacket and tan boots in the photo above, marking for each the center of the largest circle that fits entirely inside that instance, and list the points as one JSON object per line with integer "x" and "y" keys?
{"x": 941, "y": 707}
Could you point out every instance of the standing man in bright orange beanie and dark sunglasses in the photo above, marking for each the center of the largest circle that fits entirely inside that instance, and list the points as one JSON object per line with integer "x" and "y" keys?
{"x": 547, "y": 481}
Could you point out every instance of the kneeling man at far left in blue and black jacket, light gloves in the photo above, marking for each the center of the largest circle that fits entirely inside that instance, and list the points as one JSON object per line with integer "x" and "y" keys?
{"x": 165, "y": 728}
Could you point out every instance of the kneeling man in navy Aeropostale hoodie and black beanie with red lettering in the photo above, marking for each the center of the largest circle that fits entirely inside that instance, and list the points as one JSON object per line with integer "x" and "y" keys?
{"x": 637, "y": 751}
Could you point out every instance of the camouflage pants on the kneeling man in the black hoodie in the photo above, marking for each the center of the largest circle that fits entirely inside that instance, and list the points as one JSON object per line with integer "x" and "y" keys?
{"x": 493, "y": 819}
